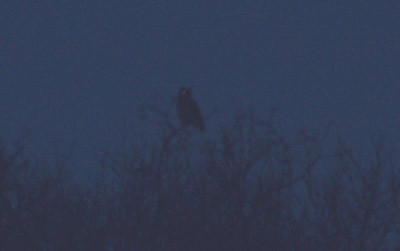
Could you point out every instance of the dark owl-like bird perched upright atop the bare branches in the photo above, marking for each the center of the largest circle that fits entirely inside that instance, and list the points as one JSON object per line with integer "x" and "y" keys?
{"x": 188, "y": 111}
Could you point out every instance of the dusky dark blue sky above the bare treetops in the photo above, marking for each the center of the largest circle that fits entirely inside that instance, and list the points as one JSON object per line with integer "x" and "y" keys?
{"x": 72, "y": 70}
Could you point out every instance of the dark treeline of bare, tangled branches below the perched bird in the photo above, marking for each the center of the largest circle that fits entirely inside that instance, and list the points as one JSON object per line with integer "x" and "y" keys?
{"x": 249, "y": 188}
